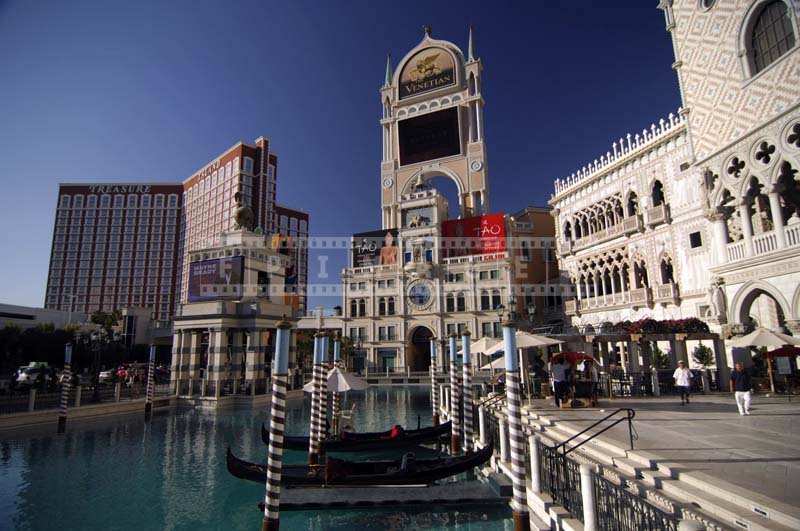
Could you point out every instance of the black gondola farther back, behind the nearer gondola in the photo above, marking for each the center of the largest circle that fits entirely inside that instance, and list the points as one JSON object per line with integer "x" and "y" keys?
{"x": 356, "y": 442}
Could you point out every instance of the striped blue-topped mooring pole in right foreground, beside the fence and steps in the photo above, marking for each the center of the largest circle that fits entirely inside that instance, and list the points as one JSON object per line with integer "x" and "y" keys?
{"x": 516, "y": 437}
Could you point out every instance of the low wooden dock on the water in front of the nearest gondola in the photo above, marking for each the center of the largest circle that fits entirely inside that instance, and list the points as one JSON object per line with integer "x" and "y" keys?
{"x": 461, "y": 493}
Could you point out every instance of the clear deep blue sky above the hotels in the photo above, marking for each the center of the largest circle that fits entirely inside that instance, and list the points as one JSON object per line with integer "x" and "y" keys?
{"x": 150, "y": 91}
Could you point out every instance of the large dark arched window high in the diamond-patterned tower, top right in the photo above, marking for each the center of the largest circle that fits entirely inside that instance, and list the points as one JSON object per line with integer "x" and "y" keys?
{"x": 772, "y": 35}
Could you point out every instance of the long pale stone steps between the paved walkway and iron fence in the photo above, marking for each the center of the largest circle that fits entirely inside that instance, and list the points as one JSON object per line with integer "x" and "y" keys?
{"x": 695, "y": 495}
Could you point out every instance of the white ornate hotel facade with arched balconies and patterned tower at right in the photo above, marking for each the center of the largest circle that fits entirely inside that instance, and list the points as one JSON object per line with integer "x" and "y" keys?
{"x": 699, "y": 214}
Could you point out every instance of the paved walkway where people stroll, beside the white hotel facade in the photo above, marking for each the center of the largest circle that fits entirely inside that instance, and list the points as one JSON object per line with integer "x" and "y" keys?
{"x": 760, "y": 452}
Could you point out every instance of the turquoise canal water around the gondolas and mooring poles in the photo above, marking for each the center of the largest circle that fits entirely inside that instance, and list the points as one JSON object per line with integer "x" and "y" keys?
{"x": 170, "y": 474}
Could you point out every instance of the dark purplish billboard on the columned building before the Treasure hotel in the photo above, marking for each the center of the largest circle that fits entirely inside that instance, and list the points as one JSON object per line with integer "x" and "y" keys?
{"x": 218, "y": 278}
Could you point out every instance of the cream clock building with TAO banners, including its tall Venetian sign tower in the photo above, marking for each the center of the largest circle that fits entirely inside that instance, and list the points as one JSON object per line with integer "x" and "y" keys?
{"x": 427, "y": 273}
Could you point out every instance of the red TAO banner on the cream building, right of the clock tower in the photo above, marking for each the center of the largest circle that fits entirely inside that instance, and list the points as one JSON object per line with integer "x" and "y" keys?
{"x": 476, "y": 235}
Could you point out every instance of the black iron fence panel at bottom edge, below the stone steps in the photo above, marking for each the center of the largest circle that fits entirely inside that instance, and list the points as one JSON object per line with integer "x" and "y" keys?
{"x": 619, "y": 510}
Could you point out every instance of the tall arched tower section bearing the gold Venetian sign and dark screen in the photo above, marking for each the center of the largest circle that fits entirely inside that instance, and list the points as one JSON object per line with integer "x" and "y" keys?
{"x": 432, "y": 125}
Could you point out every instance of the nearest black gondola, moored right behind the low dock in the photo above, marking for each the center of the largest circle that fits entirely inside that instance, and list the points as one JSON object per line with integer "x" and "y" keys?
{"x": 404, "y": 471}
